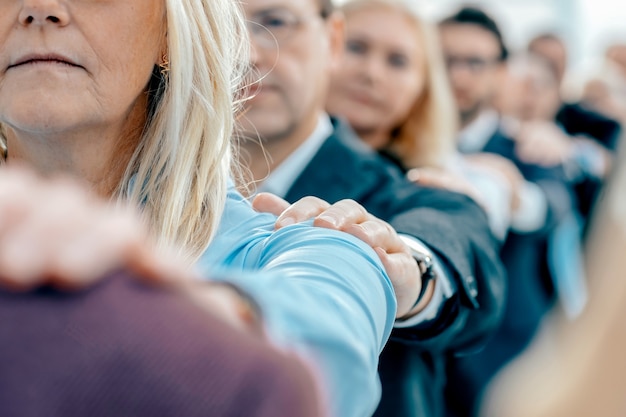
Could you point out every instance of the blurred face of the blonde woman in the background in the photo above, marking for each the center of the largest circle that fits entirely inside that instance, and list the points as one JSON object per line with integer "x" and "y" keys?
{"x": 382, "y": 73}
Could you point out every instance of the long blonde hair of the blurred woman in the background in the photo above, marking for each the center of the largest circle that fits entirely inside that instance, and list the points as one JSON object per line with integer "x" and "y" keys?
{"x": 428, "y": 135}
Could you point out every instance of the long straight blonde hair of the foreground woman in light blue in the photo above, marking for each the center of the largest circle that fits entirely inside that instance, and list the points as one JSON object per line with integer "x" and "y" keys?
{"x": 179, "y": 171}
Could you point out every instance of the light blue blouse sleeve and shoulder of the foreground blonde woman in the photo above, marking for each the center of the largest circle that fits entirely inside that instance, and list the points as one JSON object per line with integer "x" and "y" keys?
{"x": 322, "y": 293}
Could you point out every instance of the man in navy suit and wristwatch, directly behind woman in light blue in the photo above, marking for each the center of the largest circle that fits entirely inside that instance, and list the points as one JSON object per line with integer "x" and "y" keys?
{"x": 312, "y": 154}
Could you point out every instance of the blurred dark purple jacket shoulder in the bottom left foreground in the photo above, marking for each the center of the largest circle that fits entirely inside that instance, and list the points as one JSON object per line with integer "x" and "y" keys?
{"x": 123, "y": 349}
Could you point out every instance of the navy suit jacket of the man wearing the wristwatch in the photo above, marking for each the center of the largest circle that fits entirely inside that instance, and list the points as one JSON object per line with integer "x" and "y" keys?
{"x": 453, "y": 226}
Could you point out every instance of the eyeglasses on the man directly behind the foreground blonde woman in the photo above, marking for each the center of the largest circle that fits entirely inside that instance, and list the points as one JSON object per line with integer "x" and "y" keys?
{"x": 275, "y": 27}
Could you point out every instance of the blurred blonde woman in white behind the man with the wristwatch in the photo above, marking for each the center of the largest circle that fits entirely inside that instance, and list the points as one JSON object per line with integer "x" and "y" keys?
{"x": 393, "y": 90}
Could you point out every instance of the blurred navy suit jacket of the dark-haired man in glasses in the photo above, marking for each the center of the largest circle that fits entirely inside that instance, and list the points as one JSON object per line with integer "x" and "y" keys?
{"x": 530, "y": 293}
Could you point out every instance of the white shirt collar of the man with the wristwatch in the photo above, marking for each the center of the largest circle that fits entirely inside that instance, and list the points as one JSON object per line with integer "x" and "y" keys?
{"x": 282, "y": 177}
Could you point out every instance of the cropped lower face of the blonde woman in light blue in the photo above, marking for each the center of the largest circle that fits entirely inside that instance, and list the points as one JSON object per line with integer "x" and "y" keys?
{"x": 67, "y": 65}
